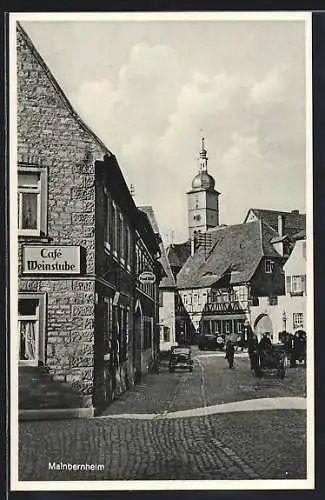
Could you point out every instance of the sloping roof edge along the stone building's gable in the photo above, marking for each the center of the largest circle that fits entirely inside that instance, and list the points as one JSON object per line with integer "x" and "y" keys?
{"x": 53, "y": 81}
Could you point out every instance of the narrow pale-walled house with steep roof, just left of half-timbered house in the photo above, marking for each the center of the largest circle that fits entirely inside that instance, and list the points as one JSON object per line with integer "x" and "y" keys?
{"x": 167, "y": 288}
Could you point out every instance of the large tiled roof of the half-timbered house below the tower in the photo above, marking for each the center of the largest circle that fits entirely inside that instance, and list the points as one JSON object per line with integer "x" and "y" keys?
{"x": 233, "y": 251}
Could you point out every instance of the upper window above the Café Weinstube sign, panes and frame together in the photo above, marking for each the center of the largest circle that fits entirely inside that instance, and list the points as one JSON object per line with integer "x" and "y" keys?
{"x": 32, "y": 201}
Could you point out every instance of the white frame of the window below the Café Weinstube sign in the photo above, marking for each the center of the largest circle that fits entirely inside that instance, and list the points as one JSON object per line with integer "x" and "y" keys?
{"x": 40, "y": 319}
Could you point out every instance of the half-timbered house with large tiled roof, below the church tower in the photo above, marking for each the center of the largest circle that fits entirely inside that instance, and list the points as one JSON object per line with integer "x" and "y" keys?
{"x": 229, "y": 270}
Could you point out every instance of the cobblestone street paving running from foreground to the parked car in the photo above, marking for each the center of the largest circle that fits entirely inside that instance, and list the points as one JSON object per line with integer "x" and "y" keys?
{"x": 244, "y": 445}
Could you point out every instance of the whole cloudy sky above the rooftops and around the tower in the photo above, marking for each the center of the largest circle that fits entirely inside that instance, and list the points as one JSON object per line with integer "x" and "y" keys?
{"x": 151, "y": 90}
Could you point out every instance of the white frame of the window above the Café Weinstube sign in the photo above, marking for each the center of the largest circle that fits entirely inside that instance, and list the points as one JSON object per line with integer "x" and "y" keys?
{"x": 41, "y": 192}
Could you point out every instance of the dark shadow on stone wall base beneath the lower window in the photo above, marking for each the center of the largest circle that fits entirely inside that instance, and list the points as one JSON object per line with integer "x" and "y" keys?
{"x": 38, "y": 390}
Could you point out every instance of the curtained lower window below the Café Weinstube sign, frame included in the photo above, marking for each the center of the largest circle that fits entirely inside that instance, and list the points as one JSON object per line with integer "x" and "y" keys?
{"x": 31, "y": 329}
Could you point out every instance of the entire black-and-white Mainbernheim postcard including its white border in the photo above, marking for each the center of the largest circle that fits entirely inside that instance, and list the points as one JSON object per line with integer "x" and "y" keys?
{"x": 161, "y": 243}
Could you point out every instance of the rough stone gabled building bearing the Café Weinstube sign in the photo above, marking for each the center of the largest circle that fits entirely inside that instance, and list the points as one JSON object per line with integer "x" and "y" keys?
{"x": 77, "y": 230}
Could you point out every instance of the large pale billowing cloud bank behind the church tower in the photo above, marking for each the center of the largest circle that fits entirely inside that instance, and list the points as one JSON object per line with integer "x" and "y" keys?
{"x": 153, "y": 115}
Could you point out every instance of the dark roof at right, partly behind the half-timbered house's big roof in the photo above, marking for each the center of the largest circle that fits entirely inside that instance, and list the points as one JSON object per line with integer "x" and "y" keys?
{"x": 293, "y": 221}
